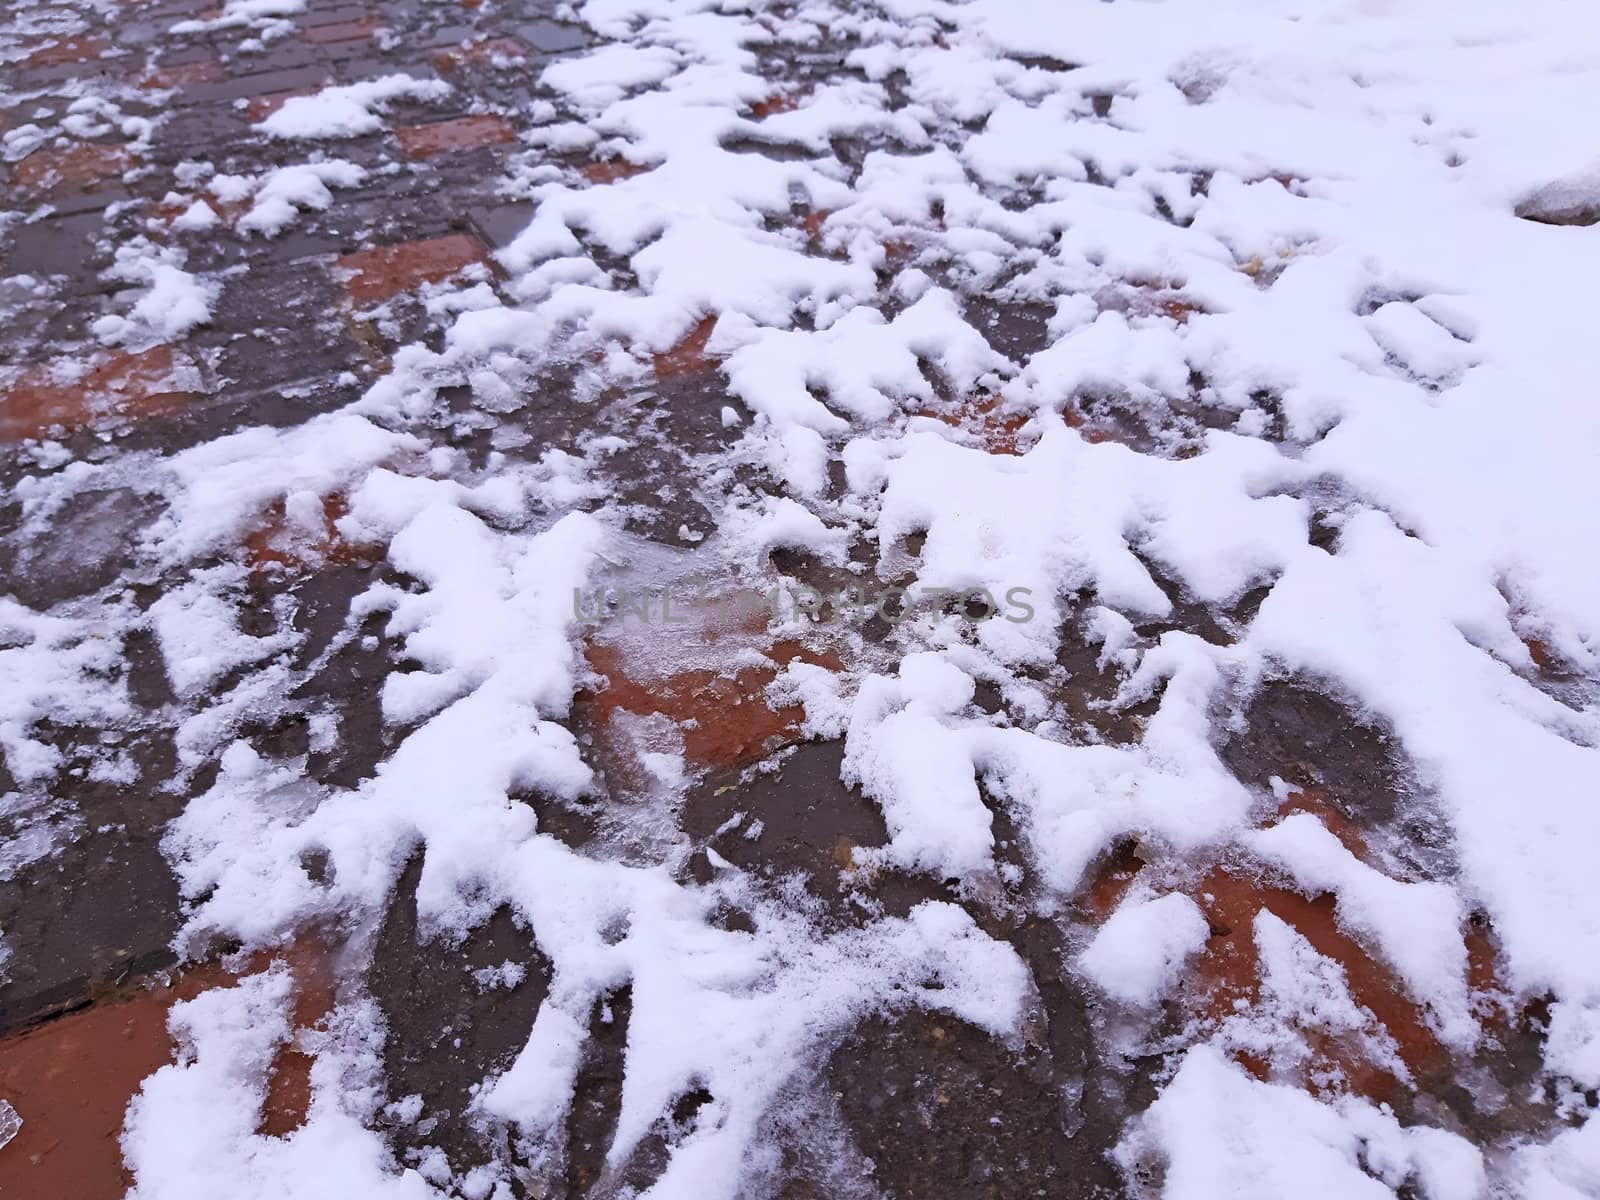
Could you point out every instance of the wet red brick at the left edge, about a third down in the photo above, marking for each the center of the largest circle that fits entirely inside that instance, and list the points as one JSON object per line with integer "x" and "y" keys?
{"x": 118, "y": 386}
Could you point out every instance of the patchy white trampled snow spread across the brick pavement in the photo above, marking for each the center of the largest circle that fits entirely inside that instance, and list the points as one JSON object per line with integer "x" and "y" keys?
{"x": 1185, "y": 370}
